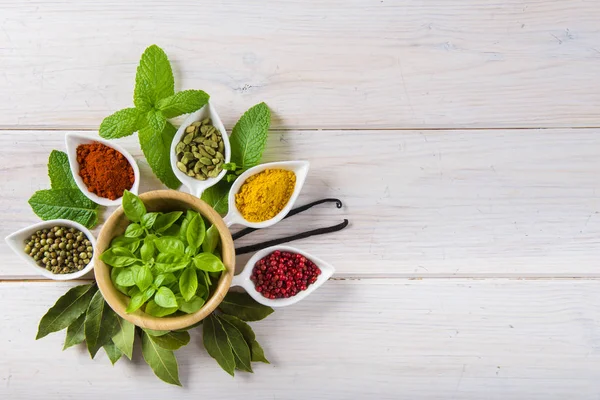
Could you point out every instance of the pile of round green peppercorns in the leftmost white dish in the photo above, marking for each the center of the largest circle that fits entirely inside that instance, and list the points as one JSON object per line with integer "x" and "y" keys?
{"x": 60, "y": 250}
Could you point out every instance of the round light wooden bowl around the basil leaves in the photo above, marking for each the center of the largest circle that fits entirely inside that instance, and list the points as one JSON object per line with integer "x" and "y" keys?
{"x": 164, "y": 201}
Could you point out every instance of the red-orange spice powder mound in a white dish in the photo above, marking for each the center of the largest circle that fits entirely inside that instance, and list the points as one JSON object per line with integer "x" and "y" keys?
{"x": 104, "y": 170}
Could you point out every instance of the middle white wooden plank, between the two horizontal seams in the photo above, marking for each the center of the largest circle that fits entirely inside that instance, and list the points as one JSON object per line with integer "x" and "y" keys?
{"x": 435, "y": 203}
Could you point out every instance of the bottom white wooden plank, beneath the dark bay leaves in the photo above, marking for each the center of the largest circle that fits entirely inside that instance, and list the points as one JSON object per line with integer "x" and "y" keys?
{"x": 428, "y": 339}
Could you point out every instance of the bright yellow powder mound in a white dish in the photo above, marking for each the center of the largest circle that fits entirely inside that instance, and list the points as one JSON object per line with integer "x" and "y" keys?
{"x": 264, "y": 195}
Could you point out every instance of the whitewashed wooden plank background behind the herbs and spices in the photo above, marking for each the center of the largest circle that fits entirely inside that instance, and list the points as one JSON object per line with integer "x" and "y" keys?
{"x": 462, "y": 136}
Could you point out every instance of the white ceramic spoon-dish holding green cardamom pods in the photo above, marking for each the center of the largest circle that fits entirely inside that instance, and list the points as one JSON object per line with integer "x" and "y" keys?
{"x": 196, "y": 186}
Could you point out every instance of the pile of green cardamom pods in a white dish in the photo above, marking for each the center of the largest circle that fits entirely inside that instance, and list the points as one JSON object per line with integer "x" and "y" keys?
{"x": 200, "y": 154}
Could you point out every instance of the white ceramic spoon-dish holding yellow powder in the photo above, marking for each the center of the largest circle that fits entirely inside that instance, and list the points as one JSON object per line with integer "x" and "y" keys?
{"x": 300, "y": 168}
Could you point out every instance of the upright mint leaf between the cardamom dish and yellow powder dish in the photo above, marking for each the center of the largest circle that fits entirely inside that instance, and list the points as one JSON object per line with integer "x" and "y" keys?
{"x": 249, "y": 136}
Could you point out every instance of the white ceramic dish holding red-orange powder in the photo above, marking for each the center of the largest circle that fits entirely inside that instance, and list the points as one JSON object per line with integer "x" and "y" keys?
{"x": 72, "y": 141}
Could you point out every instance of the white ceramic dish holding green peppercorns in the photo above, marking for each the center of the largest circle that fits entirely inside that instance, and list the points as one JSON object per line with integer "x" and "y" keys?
{"x": 16, "y": 241}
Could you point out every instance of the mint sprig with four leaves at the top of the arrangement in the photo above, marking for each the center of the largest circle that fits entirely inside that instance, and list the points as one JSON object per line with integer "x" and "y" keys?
{"x": 155, "y": 101}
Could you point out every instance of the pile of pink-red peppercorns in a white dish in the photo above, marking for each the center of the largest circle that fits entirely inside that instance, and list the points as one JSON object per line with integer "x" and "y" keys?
{"x": 283, "y": 274}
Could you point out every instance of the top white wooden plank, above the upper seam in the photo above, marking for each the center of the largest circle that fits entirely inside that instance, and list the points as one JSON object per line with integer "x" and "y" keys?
{"x": 318, "y": 64}
